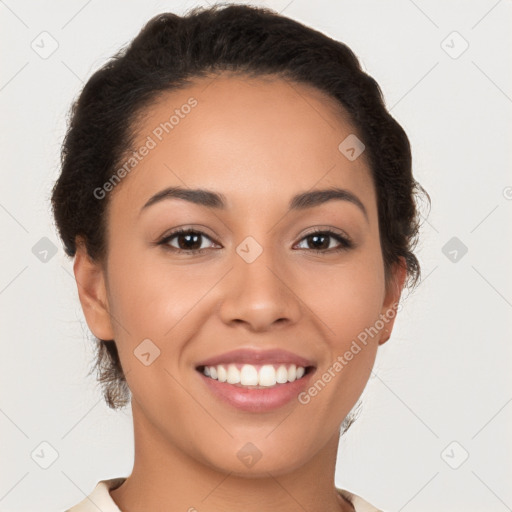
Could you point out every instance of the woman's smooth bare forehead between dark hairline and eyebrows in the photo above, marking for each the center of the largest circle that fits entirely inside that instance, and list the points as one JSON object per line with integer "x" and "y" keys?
{"x": 253, "y": 139}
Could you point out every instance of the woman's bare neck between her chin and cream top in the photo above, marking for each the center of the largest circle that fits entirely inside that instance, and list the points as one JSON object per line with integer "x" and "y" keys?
{"x": 165, "y": 477}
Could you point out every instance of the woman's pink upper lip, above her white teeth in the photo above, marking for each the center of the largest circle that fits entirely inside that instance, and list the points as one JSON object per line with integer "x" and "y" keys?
{"x": 254, "y": 356}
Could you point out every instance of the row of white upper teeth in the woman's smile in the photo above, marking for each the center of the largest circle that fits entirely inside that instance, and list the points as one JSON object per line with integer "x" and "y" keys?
{"x": 268, "y": 375}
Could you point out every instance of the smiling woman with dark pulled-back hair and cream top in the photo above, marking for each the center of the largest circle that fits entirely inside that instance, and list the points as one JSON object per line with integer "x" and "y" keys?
{"x": 241, "y": 211}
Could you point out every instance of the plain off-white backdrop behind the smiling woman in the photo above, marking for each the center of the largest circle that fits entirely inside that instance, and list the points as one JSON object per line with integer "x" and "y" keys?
{"x": 434, "y": 430}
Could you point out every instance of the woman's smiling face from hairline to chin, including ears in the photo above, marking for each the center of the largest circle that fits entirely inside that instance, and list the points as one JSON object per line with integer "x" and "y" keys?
{"x": 256, "y": 270}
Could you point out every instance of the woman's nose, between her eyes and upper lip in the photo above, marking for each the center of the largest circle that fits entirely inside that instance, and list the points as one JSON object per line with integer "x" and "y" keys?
{"x": 260, "y": 294}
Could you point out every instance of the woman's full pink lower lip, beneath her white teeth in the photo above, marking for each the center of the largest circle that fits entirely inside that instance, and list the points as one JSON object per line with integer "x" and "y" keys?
{"x": 257, "y": 400}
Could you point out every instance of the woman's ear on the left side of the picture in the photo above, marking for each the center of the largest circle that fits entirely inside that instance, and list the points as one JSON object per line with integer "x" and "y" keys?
{"x": 92, "y": 292}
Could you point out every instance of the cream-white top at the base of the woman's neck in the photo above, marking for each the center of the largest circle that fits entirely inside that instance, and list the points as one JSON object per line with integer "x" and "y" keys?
{"x": 100, "y": 499}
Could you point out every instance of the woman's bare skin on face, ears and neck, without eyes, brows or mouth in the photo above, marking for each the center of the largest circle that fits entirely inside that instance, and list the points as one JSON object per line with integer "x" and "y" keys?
{"x": 258, "y": 142}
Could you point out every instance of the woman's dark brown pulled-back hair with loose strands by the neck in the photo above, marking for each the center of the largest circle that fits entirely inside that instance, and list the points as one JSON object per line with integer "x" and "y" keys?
{"x": 168, "y": 53}
